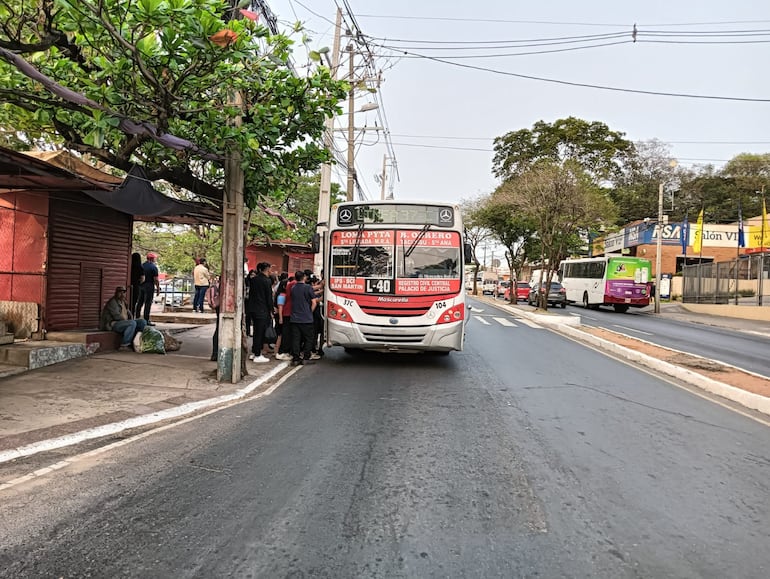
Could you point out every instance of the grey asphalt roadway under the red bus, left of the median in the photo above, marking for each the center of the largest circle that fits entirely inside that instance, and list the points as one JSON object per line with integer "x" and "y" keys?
{"x": 526, "y": 455}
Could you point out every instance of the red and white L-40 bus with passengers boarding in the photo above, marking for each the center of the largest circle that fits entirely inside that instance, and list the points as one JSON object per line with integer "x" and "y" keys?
{"x": 394, "y": 277}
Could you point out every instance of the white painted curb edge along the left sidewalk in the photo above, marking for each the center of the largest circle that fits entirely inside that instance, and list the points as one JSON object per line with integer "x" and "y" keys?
{"x": 108, "y": 429}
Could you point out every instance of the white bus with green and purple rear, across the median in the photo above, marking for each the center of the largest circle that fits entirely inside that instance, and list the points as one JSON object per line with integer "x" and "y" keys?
{"x": 612, "y": 280}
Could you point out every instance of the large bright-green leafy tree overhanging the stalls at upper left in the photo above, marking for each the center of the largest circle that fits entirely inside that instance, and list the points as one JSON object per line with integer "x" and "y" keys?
{"x": 150, "y": 82}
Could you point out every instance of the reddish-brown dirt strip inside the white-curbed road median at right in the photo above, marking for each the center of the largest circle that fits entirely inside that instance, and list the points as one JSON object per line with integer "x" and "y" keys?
{"x": 709, "y": 368}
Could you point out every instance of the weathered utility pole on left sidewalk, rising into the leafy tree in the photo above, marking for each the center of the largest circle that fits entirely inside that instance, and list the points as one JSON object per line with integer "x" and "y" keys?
{"x": 229, "y": 362}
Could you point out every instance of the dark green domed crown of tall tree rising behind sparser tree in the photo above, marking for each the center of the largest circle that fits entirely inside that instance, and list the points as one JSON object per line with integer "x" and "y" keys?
{"x": 598, "y": 150}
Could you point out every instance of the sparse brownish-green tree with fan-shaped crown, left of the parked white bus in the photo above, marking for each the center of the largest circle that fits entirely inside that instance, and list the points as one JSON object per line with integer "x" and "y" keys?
{"x": 560, "y": 201}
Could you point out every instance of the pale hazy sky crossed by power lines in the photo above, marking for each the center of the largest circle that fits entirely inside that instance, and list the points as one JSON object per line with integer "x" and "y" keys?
{"x": 442, "y": 117}
